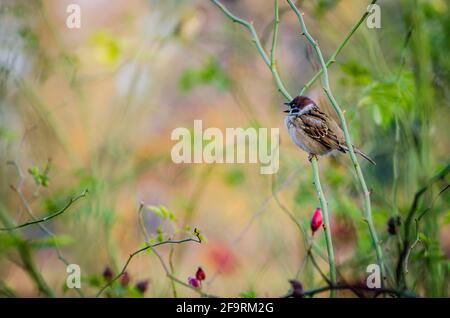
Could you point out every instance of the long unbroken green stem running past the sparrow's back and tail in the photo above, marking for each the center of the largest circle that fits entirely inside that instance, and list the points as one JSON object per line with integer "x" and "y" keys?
{"x": 360, "y": 176}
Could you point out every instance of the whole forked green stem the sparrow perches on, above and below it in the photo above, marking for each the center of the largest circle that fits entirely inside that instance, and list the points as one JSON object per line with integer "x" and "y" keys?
{"x": 271, "y": 63}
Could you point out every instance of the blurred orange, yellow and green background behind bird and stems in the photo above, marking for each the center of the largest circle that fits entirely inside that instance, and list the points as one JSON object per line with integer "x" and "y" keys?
{"x": 95, "y": 107}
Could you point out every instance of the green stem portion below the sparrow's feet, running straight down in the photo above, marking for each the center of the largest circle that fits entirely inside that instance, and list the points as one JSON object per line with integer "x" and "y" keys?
{"x": 326, "y": 223}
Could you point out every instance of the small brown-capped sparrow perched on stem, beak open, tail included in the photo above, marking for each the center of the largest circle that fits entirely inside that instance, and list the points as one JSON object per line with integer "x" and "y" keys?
{"x": 314, "y": 131}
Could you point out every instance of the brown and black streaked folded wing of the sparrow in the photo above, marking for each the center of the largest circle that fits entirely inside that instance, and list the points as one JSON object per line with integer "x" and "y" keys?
{"x": 316, "y": 125}
